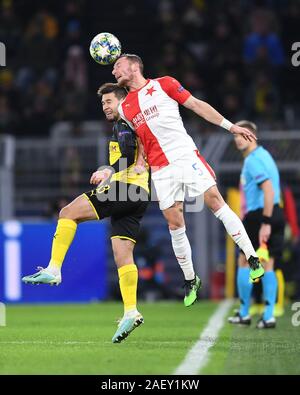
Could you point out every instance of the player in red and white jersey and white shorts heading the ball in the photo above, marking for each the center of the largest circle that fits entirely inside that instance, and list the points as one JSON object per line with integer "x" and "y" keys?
{"x": 151, "y": 108}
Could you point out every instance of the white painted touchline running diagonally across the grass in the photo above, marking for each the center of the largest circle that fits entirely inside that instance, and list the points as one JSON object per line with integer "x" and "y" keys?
{"x": 197, "y": 357}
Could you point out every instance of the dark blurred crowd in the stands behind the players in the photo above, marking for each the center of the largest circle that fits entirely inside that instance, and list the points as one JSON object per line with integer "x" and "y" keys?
{"x": 236, "y": 54}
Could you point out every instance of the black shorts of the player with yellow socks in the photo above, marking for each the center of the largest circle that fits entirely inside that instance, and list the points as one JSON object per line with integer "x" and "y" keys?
{"x": 125, "y": 204}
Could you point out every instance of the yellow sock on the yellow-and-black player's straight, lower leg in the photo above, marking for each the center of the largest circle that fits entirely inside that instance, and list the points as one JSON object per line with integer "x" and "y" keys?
{"x": 128, "y": 277}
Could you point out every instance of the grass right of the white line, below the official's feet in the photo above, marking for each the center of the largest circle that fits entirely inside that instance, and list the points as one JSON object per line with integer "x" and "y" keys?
{"x": 247, "y": 350}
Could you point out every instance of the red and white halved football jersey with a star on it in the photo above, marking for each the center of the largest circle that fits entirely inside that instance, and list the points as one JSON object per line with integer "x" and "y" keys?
{"x": 153, "y": 112}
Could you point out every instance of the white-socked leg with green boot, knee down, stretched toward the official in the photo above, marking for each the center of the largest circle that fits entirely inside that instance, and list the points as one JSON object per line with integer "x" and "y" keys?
{"x": 235, "y": 228}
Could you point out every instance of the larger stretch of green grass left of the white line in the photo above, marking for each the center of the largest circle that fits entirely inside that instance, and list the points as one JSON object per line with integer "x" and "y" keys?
{"x": 76, "y": 339}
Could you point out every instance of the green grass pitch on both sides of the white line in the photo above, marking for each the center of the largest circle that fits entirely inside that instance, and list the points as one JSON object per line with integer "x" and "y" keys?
{"x": 76, "y": 339}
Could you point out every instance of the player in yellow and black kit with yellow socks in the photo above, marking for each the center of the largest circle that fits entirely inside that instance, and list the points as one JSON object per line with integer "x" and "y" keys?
{"x": 122, "y": 194}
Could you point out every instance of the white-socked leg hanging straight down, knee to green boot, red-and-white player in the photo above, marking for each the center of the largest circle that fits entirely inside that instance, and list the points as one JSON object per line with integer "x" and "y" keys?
{"x": 183, "y": 252}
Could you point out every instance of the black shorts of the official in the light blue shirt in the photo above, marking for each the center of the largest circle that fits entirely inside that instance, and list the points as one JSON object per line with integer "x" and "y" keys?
{"x": 252, "y": 223}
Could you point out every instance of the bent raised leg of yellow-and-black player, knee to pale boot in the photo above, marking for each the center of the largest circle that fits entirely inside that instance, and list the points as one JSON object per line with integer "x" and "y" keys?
{"x": 79, "y": 210}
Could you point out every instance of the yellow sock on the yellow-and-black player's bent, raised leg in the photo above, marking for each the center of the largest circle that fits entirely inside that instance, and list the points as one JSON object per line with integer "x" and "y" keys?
{"x": 62, "y": 239}
